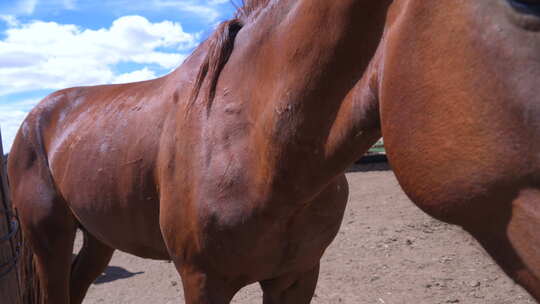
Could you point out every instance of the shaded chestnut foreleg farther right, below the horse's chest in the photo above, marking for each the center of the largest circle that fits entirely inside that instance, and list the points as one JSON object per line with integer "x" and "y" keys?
{"x": 291, "y": 289}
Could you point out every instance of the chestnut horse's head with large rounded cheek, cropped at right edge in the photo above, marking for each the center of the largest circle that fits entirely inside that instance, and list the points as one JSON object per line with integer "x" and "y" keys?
{"x": 461, "y": 120}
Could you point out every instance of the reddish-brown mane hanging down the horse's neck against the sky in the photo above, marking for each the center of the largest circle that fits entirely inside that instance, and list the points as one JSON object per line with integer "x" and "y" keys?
{"x": 221, "y": 45}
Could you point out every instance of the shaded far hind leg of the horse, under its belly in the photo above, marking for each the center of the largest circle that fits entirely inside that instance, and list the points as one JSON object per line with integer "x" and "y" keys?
{"x": 90, "y": 262}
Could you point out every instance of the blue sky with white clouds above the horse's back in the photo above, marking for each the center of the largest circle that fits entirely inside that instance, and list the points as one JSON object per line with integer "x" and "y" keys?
{"x": 46, "y": 45}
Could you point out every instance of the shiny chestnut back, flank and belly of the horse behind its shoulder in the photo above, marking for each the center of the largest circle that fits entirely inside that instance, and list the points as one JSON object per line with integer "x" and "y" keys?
{"x": 99, "y": 145}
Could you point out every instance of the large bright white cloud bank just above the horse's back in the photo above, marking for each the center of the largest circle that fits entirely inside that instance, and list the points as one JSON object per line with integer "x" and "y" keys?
{"x": 48, "y": 55}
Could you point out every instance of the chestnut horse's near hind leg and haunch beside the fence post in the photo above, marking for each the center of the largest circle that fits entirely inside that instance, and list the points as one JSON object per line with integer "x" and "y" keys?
{"x": 47, "y": 224}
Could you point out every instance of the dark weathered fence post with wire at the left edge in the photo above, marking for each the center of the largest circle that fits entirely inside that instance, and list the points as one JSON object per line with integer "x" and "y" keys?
{"x": 9, "y": 248}
